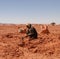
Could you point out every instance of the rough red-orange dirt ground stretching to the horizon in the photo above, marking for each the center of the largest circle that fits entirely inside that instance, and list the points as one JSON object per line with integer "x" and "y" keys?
{"x": 47, "y": 46}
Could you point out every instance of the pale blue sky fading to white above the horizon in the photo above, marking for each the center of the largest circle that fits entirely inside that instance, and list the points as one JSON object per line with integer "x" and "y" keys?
{"x": 29, "y": 11}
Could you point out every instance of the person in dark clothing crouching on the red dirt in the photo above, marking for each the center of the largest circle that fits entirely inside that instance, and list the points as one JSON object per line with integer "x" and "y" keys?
{"x": 31, "y": 31}
